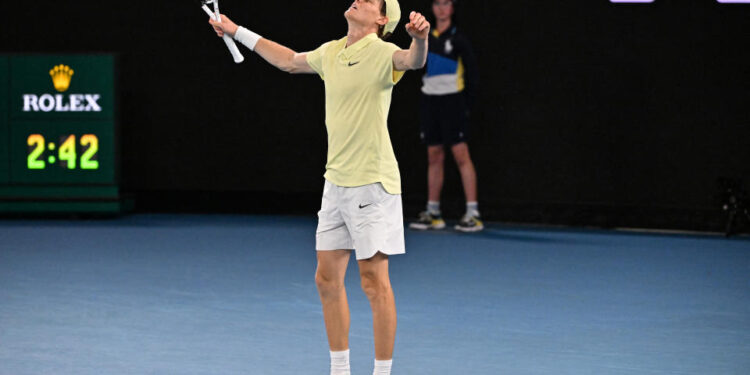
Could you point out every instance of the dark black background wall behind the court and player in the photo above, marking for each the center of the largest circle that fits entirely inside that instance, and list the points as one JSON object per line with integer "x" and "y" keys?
{"x": 590, "y": 113}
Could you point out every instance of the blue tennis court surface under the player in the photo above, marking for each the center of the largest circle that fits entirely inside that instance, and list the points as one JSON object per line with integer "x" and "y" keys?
{"x": 212, "y": 294}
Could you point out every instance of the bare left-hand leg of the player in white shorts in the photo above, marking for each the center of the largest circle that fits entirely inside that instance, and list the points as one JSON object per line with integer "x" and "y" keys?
{"x": 329, "y": 277}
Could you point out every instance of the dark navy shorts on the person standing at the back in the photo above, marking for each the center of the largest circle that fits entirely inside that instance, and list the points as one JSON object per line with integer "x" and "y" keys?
{"x": 444, "y": 119}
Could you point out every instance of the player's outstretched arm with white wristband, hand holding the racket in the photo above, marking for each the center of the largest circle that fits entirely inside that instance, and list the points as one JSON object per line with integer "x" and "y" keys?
{"x": 277, "y": 55}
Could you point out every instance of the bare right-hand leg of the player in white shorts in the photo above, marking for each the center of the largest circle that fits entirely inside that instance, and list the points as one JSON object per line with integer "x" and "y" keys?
{"x": 377, "y": 286}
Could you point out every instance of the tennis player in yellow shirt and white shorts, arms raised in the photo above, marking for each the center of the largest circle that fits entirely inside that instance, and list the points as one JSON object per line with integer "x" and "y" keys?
{"x": 361, "y": 206}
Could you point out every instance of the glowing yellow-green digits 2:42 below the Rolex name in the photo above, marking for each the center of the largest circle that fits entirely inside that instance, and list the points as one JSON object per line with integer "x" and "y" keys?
{"x": 67, "y": 152}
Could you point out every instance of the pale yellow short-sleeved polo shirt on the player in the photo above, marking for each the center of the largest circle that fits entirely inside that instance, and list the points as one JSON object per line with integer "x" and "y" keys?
{"x": 358, "y": 81}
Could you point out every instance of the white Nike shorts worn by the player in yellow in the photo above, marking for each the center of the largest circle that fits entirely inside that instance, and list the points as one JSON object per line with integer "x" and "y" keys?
{"x": 364, "y": 218}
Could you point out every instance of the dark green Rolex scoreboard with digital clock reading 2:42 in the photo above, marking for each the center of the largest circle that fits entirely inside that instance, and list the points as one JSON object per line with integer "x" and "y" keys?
{"x": 57, "y": 134}
